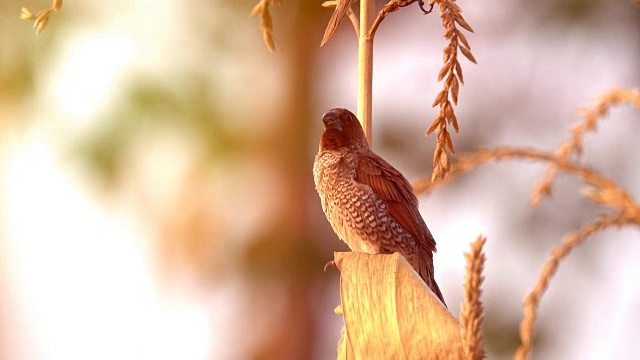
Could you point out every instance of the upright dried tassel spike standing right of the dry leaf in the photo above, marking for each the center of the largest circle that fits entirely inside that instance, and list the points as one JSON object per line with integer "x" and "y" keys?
{"x": 472, "y": 310}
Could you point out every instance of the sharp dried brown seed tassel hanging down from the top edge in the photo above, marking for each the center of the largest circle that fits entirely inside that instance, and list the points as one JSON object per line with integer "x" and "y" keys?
{"x": 451, "y": 72}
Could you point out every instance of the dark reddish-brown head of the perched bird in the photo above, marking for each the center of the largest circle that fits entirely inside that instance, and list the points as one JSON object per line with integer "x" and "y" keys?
{"x": 342, "y": 130}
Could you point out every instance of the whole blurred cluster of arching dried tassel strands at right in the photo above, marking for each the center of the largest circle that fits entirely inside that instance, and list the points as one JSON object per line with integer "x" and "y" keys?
{"x": 623, "y": 208}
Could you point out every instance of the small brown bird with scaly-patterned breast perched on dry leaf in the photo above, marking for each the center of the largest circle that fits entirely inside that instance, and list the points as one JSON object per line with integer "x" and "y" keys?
{"x": 369, "y": 203}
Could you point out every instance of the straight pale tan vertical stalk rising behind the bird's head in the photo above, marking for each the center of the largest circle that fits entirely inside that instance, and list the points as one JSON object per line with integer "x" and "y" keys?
{"x": 365, "y": 65}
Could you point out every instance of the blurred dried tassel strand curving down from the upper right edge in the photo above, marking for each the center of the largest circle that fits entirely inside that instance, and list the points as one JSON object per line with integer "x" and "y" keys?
{"x": 574, "y": 144}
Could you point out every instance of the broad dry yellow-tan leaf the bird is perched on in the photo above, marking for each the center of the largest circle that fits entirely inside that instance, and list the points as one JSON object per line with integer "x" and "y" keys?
{"x": 389, "y": 313}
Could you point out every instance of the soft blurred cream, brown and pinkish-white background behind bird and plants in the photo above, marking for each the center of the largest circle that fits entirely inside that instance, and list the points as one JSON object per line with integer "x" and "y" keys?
{"x": 156, "y": 195}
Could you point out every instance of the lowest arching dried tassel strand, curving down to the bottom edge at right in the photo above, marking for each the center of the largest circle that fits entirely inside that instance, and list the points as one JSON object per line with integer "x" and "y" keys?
{"x": 560, "y": 252}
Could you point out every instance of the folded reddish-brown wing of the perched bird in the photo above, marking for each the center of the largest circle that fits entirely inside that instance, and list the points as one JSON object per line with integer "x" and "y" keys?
{"x": 395, "y": 190}
